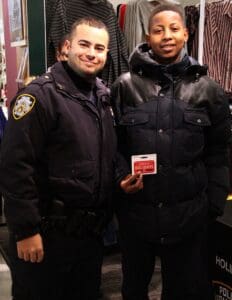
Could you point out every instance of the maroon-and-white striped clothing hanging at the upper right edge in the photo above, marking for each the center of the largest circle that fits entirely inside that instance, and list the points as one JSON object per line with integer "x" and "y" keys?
{"x": 217, "y": 52}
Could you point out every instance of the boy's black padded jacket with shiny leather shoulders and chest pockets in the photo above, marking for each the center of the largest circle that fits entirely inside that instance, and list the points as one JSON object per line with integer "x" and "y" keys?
{"x": 180, "y": 114}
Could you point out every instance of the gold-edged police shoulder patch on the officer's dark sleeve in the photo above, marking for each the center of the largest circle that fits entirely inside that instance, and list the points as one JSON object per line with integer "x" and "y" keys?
{"x": 23, "y": 105}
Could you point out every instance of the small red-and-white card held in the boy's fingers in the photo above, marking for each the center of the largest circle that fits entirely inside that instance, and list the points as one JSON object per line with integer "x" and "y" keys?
{"x": 145, "y": 164}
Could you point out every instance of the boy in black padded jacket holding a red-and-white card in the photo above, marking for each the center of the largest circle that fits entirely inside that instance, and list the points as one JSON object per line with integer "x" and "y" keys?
{"x": 167, "y": 106}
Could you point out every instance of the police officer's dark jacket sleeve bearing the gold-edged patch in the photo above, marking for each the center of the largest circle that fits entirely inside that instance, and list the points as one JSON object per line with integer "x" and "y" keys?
{"x": 21, "y": 152}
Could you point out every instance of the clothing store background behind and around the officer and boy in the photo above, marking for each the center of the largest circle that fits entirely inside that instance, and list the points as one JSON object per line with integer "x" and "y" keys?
{"x": 29, "y": 34}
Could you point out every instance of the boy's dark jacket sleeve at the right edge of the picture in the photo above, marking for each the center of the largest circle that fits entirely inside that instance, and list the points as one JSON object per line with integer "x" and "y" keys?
{"x": 217, "y": 152}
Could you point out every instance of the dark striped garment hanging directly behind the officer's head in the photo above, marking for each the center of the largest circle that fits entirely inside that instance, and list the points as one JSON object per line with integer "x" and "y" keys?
{"x": 69, "y": 11}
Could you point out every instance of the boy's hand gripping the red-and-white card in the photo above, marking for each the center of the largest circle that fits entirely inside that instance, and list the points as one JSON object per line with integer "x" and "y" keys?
{"x": 132, "y": 183}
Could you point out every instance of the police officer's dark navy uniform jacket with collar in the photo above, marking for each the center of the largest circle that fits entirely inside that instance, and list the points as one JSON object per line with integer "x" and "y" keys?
{"x": 63, "y": 149}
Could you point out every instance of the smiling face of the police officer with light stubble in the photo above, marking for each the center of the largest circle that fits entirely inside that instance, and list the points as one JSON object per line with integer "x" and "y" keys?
{"x": 88, "y": 50}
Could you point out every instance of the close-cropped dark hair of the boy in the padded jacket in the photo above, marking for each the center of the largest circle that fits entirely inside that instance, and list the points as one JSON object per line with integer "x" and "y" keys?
{"x": 164, "y": 7}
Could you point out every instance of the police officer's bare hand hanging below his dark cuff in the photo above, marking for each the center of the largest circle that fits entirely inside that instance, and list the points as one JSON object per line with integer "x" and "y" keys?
{"x": 31, "y": 249}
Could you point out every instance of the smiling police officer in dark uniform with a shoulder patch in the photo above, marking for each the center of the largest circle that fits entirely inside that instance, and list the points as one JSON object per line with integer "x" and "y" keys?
{"x": 56, "y": 171}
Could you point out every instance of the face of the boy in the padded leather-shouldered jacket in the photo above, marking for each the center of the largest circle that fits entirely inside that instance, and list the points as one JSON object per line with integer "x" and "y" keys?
{"x": 167, "y": 36}
